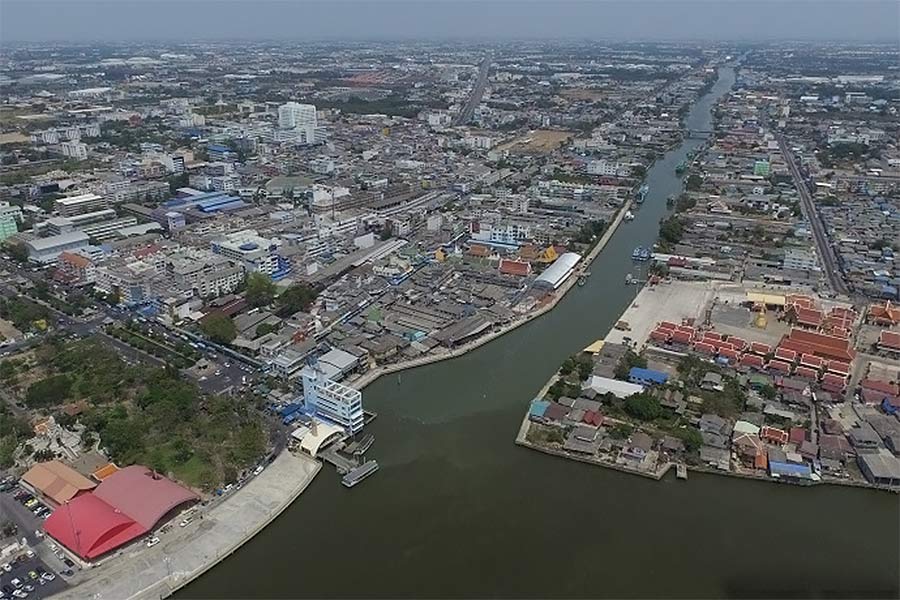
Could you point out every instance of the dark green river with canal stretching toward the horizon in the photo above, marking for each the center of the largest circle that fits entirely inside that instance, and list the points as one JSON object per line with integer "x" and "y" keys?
{"x": 458, "y": 510}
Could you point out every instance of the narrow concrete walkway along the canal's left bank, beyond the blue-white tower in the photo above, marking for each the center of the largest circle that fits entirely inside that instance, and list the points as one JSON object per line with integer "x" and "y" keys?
{"x": 370, "y": 376}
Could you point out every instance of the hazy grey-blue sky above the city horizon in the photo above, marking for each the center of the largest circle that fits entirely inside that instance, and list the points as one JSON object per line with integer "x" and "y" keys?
{"x": 82, "y": 20}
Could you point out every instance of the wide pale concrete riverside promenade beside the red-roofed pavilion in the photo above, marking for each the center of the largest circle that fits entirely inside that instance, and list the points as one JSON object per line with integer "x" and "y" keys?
{"x": 185, "y": 553}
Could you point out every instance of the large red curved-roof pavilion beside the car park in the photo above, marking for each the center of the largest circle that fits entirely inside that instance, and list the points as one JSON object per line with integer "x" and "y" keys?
{"x": 126, "y": 505}
